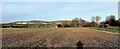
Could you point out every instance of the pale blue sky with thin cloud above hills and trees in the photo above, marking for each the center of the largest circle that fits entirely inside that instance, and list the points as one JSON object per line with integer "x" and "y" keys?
{"x": 50, "y": 11}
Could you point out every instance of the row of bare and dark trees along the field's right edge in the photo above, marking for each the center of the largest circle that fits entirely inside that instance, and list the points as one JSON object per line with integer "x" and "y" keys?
{"x": 95, "y": 21}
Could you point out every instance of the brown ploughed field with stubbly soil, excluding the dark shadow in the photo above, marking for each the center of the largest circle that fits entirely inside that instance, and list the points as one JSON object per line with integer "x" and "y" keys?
{"x": 57, "y": 37}
